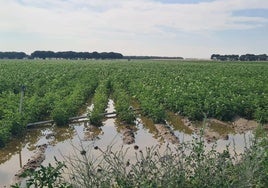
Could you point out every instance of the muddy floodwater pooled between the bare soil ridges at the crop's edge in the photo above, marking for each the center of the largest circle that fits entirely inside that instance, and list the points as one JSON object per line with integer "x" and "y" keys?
{"x": 66, "y": 141}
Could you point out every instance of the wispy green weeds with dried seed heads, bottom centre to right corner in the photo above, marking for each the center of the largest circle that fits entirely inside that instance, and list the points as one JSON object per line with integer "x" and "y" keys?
{"x": 189, "y": 165}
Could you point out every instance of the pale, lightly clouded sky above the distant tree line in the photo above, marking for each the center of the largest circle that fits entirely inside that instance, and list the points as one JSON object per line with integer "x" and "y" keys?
{"x": 185, "y": 28}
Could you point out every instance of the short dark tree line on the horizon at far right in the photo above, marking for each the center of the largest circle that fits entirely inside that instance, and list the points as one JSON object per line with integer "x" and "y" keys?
{"x": 246, "y": 57}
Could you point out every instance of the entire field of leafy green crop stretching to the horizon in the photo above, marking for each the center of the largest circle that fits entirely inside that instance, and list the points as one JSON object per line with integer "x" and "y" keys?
{"x": 58, "y": 89}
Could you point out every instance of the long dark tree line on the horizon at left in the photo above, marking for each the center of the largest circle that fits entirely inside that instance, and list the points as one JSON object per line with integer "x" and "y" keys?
{"x": 60, "y": 55}
